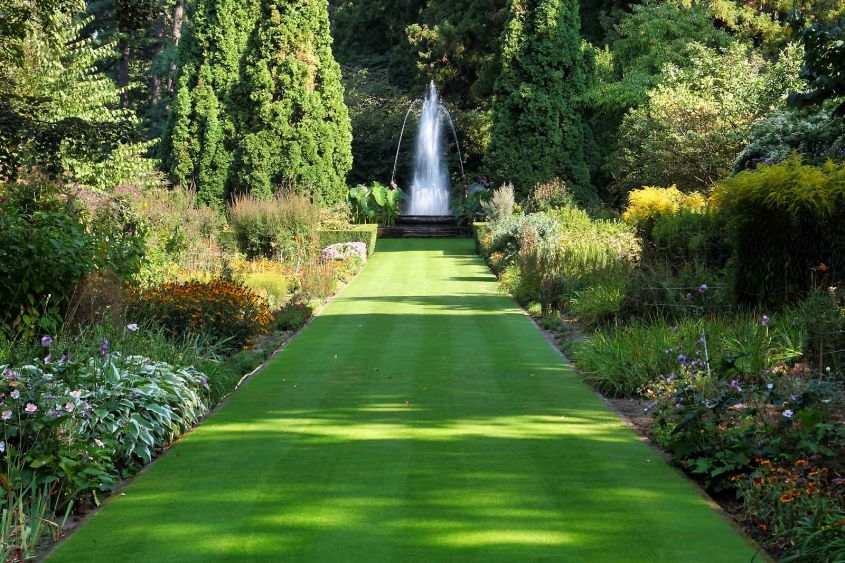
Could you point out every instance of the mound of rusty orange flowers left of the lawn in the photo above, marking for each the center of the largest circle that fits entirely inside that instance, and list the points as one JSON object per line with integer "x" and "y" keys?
{"x": 221, "y": 309}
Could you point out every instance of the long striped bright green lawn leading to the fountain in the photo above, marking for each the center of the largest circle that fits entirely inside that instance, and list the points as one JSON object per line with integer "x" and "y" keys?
{"x": 420, "y": 417}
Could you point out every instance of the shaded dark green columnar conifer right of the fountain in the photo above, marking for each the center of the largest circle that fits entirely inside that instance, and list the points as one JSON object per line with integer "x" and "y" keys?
{"x": 538, "y": 131}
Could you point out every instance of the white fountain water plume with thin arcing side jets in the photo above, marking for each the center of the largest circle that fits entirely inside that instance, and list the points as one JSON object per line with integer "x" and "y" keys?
{"x": 429, "y": 189}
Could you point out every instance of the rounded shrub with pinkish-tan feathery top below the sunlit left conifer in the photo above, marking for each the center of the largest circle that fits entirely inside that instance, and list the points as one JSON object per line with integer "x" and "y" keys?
{"x": 280, "y": 227}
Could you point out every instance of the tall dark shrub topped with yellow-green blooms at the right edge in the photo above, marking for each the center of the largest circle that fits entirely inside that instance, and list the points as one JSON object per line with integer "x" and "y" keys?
{"x": 788, "y": 222}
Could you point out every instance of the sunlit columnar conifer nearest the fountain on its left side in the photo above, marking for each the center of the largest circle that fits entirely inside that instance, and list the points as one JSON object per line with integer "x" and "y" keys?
{"x": 295, "y": 126}
